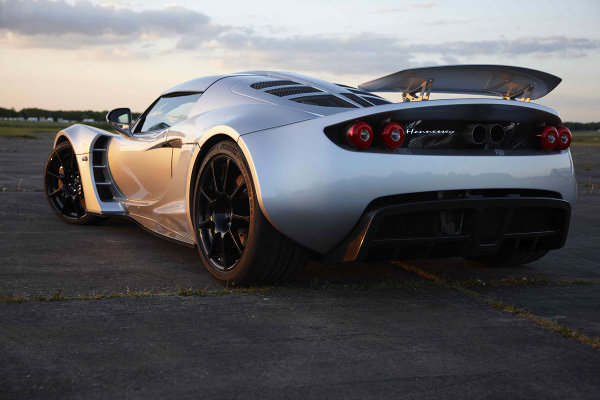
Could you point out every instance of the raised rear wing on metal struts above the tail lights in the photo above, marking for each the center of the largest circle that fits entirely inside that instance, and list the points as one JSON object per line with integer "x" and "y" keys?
{"x": 500, "y": 80}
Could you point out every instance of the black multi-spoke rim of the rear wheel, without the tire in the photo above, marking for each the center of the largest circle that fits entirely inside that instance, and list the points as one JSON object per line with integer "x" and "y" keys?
{"x": 223, "y": 217}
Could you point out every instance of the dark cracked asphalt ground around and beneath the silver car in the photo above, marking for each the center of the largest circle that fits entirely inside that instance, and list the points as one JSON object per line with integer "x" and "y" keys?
{"x": 340, "y": 331}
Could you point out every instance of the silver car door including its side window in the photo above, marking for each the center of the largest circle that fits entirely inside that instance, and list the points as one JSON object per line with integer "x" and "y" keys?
{"x": 141, "y": 164}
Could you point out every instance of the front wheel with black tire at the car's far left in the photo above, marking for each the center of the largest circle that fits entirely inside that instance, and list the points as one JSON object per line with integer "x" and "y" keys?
{"x": 63, "y": 189}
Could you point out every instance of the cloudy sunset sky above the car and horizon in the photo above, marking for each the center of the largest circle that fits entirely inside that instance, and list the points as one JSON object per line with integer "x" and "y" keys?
{"x": 104, "y": 54}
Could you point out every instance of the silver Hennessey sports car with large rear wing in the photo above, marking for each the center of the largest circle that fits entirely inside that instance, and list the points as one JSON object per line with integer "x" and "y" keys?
{"x": 263, "y": 171}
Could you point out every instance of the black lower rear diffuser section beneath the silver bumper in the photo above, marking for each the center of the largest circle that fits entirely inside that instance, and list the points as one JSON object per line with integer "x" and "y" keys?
{"x": 454, "y": 224}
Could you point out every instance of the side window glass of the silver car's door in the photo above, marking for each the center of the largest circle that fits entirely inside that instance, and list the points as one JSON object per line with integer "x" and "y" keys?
{"x": 166, "y": 112}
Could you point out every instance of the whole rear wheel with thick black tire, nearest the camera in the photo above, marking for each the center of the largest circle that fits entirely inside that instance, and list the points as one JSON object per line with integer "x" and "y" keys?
{"x": 236, "y": 242}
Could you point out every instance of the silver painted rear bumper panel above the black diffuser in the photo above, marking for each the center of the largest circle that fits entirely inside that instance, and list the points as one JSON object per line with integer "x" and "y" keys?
{"x": 315, "y": 192}
